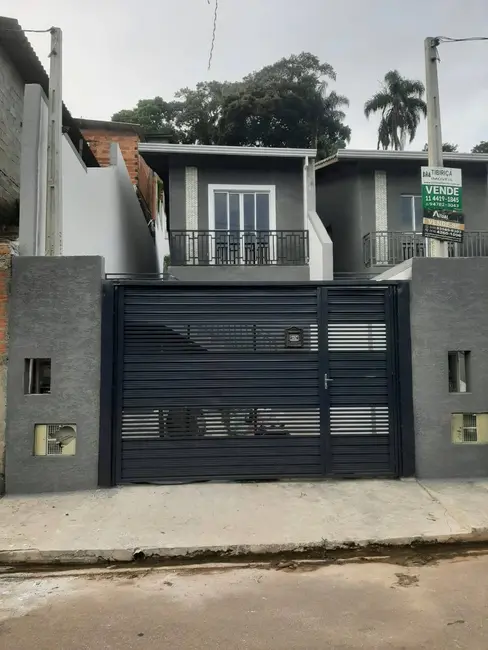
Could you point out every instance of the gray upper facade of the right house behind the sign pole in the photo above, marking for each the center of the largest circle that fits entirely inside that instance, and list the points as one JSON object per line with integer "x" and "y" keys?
{"x": 370, "y": 203}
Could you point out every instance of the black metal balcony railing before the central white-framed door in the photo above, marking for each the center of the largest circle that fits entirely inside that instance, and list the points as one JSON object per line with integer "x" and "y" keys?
{"x": 235, "y": 247}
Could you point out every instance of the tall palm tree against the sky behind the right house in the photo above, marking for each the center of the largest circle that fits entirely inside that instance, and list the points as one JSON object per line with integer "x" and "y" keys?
{"x": 401, "y": 106}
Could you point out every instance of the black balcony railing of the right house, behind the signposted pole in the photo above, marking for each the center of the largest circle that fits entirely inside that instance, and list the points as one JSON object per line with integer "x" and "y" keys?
{"x": 390, "y": 248}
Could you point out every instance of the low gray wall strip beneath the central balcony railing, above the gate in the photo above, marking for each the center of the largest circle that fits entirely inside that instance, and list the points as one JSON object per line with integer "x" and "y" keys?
{"x": 241, "y": 273}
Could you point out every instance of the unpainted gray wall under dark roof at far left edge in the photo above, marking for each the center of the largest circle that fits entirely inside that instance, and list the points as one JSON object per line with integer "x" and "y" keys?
{"x": 11, "y": 103}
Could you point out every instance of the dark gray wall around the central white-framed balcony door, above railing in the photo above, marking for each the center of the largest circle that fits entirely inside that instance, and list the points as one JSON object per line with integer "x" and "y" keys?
{"x": 286, "y": 175}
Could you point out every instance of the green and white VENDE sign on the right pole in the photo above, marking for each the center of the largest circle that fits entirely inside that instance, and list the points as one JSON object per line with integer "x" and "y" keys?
{"x": 442, "y": 189}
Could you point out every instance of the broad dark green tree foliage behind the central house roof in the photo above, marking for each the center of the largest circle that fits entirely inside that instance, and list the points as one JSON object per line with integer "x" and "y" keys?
{"x": 286, "y": 104}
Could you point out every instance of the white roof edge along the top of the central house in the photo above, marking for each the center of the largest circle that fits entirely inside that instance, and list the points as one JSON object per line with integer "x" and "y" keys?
{"x": 223, "y": 150}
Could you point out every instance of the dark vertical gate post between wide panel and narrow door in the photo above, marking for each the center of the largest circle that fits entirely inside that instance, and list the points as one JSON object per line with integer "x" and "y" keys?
{"x": 323, "y": 365}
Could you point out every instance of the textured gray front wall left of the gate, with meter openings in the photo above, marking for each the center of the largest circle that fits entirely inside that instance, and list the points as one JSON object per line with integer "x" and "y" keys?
{"x": 55, "y": 312}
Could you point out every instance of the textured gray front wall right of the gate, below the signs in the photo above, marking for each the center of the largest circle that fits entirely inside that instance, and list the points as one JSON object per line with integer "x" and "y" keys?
{"x": 449, "y": 311}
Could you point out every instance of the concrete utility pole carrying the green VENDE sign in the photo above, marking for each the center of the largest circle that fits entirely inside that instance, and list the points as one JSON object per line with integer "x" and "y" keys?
{"x": 435, "y": 247}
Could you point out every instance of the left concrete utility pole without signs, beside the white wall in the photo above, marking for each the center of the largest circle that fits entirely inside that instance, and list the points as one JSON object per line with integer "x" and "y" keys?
{"x": 54, "y": 202}
